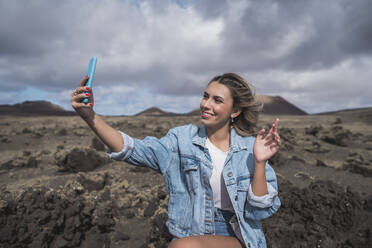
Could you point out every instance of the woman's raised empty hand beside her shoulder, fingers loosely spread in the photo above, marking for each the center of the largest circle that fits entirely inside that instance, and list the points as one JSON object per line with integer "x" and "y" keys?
{"x": 265, "y": 147}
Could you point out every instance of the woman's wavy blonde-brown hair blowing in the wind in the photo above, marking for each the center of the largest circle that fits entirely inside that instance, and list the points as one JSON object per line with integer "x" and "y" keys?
{"x": 245, "y": 124}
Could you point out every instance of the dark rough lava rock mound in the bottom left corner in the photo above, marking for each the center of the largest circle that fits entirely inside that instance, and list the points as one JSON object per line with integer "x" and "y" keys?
{"x": 44, "y": 218}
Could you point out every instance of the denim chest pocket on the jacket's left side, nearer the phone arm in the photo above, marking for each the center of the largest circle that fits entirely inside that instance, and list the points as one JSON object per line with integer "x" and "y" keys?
{"x": 190, "y": 168}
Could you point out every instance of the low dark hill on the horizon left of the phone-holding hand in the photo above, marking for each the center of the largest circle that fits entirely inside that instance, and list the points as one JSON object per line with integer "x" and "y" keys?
{"x": 30, "y": 108}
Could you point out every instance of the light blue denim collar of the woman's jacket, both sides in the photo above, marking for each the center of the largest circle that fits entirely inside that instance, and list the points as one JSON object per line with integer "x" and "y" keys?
{"x": 237, "y": 142}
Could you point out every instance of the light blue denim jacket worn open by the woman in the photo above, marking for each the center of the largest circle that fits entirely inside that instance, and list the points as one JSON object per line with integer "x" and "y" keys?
{"x": 184, "y": 161}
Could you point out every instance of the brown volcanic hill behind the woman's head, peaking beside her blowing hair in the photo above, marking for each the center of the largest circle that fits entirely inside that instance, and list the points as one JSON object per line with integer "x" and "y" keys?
{"x": 275, "y": 105}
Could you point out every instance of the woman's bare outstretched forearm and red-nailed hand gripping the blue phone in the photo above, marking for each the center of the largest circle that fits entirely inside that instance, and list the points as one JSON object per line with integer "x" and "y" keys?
{"x": 108, "y": 135}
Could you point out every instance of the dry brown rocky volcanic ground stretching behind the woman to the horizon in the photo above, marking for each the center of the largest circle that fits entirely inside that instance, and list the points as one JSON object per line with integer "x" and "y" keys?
{"x": 59, "y": 189}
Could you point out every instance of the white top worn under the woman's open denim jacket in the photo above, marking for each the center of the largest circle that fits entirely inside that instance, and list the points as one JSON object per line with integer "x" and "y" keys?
{"x": 220, "y": 196}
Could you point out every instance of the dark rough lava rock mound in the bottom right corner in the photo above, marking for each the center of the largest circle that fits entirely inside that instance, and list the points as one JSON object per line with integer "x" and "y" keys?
{"x": 322, "y": 214}
